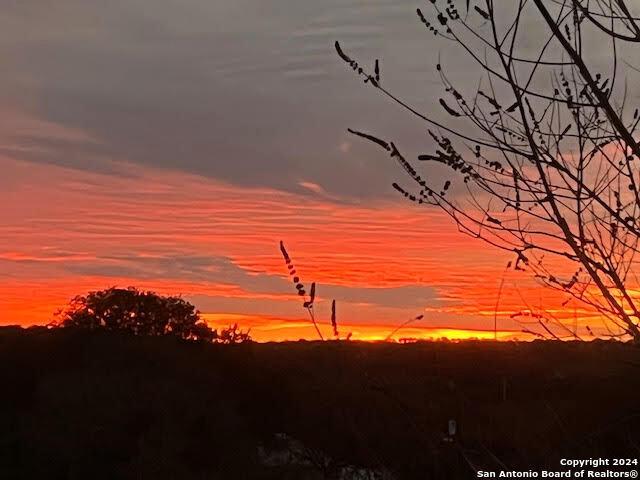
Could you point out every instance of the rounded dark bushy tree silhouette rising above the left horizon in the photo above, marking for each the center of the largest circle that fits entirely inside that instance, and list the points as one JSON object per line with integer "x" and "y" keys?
{"x": 137, "y": 312}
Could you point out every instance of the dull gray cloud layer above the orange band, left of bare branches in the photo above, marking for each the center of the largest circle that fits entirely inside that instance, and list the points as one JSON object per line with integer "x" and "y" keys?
{"x": 245, "y": 91}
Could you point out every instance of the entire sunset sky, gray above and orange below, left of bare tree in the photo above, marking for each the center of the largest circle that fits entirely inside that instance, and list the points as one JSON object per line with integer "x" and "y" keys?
{"x": 171, "y": 145}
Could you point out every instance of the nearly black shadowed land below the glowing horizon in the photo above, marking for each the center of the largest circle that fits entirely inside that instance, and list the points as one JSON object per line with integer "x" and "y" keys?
{"x": 104, "y": 406}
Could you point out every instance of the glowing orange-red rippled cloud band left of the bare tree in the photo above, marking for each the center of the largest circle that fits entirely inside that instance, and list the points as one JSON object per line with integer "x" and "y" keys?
{"x": 69, "y": 231}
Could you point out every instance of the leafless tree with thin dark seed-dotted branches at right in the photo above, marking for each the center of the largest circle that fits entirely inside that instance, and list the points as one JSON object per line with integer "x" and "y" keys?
{"x": 542, "y": 151}
